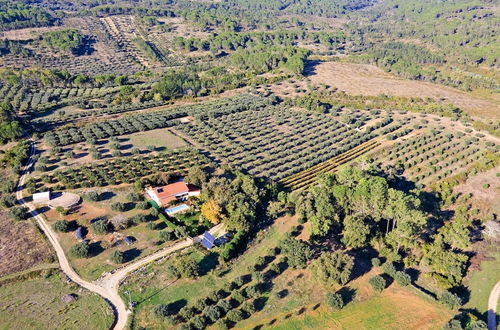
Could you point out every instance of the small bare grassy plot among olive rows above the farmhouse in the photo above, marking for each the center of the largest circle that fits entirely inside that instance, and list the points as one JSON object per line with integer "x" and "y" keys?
{"x": 158, "y": 138}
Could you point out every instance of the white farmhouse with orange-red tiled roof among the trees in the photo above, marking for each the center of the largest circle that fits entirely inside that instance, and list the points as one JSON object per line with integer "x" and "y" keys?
{"x": 178, "y": 191}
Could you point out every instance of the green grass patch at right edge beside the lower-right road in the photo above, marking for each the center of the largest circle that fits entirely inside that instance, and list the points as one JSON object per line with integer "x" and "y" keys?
{"x": 482, "y": 281}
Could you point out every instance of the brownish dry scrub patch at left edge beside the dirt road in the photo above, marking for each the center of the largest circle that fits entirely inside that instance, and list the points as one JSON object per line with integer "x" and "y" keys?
{"x": 22, "y": 246}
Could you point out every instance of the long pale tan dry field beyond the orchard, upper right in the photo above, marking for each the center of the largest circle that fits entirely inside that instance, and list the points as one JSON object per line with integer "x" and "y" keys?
{"x": 367, "y": 79}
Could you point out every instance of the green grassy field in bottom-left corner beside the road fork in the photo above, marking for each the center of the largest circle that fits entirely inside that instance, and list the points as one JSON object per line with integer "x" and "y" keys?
{"x": 37, "y": 304}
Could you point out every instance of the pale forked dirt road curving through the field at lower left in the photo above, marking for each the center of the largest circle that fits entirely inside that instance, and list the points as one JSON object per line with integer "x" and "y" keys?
{"x": 107, "y": 286}
